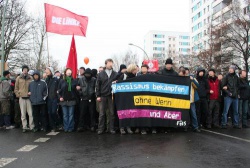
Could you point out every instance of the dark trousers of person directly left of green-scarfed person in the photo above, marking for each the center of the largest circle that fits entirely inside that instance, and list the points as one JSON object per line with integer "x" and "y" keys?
{"x": 52, "y": 111}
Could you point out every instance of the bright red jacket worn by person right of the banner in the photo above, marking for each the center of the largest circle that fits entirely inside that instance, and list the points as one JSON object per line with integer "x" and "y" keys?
{"x": 214, "y": 86}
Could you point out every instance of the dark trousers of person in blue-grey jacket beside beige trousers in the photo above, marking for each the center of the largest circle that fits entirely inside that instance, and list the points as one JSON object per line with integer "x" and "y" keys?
{"x": 39, "y": 116}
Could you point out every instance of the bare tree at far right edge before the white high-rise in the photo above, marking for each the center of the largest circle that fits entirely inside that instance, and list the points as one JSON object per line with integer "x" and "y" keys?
{"x": 235, "y": 32}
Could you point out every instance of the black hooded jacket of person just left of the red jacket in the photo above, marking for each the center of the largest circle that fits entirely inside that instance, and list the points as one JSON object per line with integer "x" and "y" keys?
{"x": 203, "y": 89}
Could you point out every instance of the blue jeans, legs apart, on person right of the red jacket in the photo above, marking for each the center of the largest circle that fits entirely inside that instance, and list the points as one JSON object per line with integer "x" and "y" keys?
{"x": 227, "y": 103}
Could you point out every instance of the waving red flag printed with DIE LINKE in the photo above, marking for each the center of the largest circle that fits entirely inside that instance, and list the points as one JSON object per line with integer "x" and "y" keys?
{"x": 62, "y": 21}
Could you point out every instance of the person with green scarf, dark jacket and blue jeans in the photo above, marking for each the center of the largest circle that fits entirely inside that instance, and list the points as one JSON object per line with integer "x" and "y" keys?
{"x": 67, "y": 95}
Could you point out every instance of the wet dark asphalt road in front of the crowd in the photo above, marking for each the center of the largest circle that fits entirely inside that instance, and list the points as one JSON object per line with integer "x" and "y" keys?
{"x": 229, "y": 148}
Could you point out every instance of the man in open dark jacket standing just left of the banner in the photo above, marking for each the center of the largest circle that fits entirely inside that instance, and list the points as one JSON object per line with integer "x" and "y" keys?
{"x": 104, "y": 96}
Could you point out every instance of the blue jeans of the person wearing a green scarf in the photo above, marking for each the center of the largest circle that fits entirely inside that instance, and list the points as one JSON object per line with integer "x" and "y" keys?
{"x": 68, "y": 117}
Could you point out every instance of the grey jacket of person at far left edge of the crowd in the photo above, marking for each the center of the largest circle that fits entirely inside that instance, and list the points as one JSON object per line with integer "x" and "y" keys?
{"x": 5, "y": 89}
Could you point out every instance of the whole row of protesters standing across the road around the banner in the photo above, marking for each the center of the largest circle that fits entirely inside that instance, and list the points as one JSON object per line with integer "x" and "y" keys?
{"x": 54, "y": 101}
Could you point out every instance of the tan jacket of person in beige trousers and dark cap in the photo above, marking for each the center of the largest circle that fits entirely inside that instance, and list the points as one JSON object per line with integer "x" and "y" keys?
{"x": 22, "y": 85}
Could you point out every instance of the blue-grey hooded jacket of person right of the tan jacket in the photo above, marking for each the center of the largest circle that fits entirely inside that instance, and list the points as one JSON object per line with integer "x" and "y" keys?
{"x": 39, "y": 90}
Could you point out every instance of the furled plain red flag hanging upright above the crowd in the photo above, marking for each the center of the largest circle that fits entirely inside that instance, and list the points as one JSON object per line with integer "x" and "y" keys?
{"x": 72, "y": 59}
